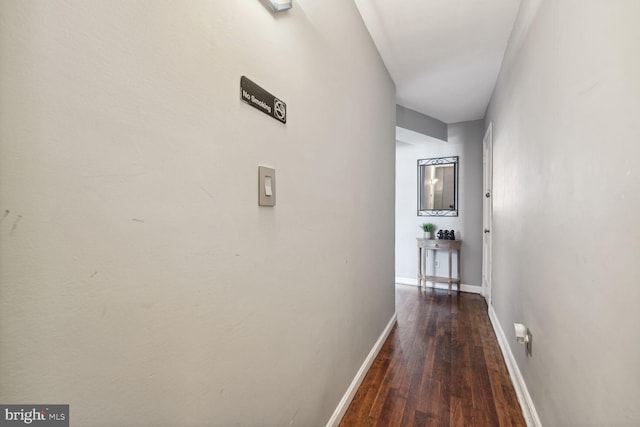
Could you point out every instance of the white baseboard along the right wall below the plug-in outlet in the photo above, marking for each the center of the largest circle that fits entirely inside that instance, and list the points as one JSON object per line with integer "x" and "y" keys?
{"x": 528, "y": 409}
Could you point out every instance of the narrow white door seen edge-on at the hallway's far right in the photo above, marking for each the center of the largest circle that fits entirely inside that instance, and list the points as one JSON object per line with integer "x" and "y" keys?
{"x": 487, "y": 211}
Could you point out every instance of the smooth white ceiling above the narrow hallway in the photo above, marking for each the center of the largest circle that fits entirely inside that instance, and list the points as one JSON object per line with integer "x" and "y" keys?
{"x": 443, "y": 55}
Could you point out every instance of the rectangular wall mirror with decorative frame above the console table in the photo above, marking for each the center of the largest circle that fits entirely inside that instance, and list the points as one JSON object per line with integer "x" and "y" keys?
{"x": 438, "y": 186}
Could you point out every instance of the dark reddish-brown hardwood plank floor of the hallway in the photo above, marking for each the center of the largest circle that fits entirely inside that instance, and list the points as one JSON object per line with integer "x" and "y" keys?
{"x": 440, "y": 366}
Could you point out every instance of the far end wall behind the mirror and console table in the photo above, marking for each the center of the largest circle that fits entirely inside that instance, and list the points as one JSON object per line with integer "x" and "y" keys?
{"x": 465, "y": 141}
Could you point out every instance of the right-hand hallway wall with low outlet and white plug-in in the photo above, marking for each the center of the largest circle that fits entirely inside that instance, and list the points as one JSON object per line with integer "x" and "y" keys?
{"x": 566, "y": 201}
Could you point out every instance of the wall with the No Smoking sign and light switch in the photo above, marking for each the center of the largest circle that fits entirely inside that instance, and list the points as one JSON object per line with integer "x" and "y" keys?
{"x": 141, "y": 283}
